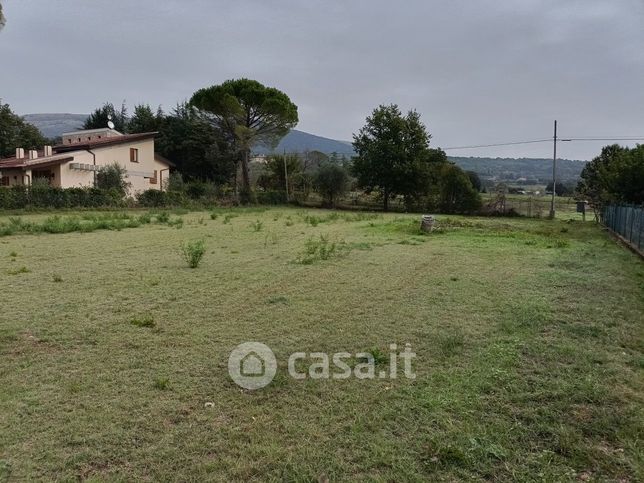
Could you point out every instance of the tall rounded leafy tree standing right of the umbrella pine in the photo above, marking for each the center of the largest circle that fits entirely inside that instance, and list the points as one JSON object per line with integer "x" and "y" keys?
{"x": 393, "y": 155}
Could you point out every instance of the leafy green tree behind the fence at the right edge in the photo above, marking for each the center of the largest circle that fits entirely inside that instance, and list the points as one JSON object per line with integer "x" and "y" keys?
{"x": 615, "y": 176}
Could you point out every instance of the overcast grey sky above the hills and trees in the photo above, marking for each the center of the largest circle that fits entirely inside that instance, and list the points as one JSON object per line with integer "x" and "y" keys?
{"x": 479, "y": 71}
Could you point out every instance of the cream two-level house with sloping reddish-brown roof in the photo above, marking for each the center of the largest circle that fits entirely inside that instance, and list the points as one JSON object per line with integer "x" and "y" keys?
{"x": 81, "y": 154}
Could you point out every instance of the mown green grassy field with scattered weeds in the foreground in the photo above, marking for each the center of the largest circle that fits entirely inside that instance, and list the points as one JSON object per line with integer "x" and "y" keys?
{"x": 114, "y": 353}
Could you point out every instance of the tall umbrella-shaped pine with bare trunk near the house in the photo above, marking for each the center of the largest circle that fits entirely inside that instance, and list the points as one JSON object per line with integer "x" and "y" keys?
{"x": 250, "y": 113}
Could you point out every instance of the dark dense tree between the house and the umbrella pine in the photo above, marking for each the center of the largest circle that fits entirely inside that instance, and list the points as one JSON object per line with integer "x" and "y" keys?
{"x": 199, "y": 151}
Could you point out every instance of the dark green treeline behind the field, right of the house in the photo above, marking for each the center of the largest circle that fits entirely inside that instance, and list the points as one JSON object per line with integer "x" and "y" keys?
{"x": 393, "y": 158}
